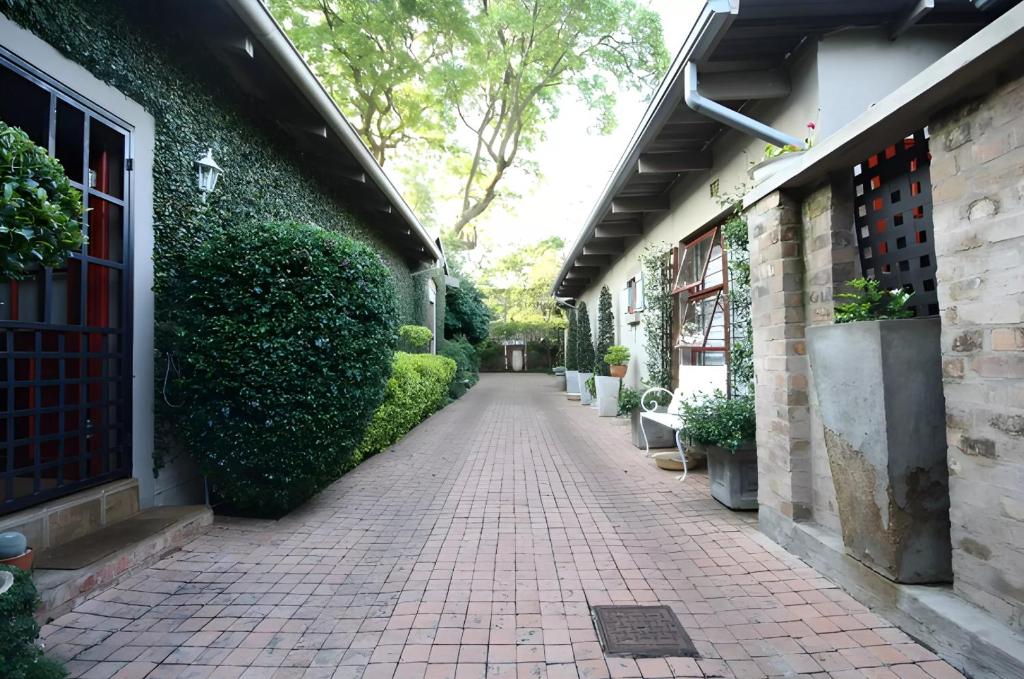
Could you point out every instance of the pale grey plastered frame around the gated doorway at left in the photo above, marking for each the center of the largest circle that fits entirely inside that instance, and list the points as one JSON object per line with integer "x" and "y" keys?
{"x": 174, "y": 487}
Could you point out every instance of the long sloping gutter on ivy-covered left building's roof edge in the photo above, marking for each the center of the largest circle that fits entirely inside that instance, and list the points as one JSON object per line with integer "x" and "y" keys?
{"x": 273, "y": 37}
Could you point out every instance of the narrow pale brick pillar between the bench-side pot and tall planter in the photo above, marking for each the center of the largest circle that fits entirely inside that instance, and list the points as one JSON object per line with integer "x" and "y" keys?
{"x": 780, "y": 362}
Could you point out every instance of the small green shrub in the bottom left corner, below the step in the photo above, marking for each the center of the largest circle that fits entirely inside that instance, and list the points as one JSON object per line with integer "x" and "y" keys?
{"x": 20, "y": 657}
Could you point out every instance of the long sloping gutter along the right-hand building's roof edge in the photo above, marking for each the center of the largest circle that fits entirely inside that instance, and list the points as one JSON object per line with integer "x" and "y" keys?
{"x": 714, "y": 20}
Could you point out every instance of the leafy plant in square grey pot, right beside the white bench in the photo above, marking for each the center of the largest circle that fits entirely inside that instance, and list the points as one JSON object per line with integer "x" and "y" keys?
{"x": 728, "y": 428}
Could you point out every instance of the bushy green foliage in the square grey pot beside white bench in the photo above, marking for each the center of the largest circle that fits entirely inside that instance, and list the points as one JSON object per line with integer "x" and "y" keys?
{"x": 718, "y": 420}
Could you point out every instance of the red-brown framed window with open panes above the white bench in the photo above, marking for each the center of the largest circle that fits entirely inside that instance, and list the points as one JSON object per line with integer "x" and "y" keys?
{"x": 702, "y": 334}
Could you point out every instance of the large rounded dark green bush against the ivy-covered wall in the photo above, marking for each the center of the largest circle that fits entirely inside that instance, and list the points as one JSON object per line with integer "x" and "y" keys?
{"x": 285, "y": 336}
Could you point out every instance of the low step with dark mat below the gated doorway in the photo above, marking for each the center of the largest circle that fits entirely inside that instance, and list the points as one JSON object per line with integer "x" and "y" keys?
{"x": 94, "y": 563}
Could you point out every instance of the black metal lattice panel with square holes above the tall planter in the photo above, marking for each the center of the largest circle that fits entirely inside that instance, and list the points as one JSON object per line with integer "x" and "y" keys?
{"x": 893, "y": 215}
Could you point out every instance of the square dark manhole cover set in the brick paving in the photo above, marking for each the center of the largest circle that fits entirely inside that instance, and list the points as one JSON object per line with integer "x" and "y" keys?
{"x": 642, "y": 632}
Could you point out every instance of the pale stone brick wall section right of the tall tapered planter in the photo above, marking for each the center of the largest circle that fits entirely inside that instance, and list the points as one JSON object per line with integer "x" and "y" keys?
{"x": 978, "y": 189}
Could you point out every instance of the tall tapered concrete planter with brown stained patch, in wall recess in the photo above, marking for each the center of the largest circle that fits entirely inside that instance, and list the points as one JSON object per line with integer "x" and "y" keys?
{"x": 879, "y": 385}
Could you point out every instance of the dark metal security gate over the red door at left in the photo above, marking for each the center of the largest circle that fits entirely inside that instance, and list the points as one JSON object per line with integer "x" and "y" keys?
{"x": 66, "y": 334}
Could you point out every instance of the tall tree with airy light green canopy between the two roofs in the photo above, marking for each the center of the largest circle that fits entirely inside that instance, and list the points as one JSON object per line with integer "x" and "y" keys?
{"x": 478, "y": 79}
